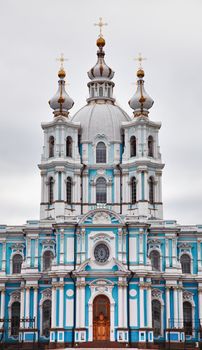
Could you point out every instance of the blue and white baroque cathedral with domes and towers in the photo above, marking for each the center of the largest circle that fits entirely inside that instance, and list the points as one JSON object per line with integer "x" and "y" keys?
{"x": 101, "y": 265}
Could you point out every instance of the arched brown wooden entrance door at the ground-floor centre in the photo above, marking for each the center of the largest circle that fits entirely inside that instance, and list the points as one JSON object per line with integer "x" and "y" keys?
{"x": 101, "y": 318}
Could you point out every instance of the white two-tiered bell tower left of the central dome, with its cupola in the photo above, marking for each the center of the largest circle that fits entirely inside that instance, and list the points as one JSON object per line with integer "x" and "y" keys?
{"x": 60, "y": 160}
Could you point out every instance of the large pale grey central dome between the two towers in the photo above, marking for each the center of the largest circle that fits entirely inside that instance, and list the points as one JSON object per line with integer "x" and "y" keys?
{"x": 101, "y": 118}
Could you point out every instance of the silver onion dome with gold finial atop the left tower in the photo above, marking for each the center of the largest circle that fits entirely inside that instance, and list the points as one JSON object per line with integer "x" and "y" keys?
{"x": 61, "y": 102}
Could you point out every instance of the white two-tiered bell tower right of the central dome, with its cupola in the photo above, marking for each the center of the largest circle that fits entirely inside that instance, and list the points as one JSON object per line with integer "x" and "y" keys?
{"x": 142, "y": 165}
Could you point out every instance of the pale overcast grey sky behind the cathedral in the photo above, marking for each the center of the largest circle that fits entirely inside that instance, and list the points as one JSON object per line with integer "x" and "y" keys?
{"x": 34, "y": 33}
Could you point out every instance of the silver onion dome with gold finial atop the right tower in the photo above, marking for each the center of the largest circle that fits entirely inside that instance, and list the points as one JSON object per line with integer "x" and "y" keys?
{"x": 141, "y": 102}
